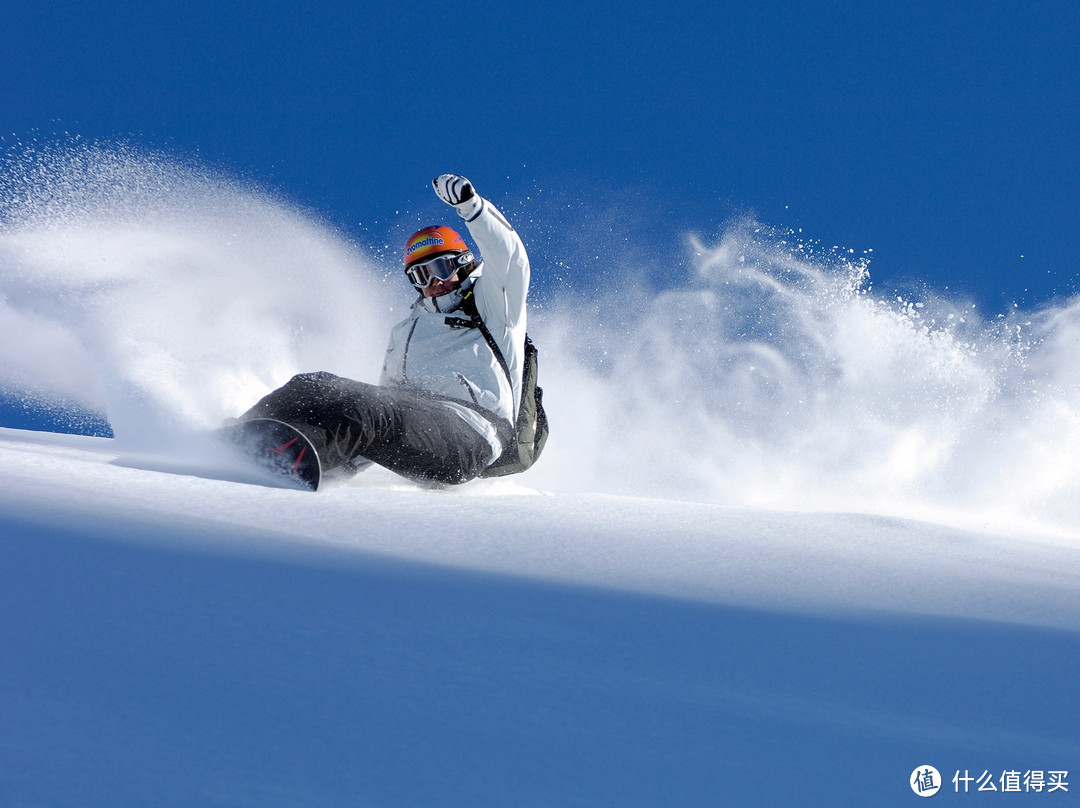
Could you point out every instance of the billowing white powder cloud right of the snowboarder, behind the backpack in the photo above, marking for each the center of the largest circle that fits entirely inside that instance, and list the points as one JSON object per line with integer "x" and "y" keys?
{"x": 778, "y": 379}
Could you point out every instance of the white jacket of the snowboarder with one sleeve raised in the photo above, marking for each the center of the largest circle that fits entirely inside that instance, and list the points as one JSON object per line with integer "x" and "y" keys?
{"x": 435, "y": 352}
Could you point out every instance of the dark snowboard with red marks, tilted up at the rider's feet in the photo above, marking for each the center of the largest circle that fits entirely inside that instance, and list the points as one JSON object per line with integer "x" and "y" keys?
{"x": 279, "y": 449}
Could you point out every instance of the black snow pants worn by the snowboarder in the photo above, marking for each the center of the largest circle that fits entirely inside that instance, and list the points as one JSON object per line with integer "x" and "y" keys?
{"x": 408, "y": 433}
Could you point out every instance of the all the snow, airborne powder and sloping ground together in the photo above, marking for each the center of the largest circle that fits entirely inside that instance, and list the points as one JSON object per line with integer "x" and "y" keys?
{"x": 855, "y": 553}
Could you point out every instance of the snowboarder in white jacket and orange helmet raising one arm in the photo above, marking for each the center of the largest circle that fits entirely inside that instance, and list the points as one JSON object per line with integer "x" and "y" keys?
{"x": 448, "y": 401}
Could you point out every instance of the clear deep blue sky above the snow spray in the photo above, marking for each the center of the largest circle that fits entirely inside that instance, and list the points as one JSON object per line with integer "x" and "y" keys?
{"x": 943, "y": 137}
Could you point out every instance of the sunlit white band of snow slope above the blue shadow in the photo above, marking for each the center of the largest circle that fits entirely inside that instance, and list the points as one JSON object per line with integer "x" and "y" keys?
{"x": 825, "y": 562}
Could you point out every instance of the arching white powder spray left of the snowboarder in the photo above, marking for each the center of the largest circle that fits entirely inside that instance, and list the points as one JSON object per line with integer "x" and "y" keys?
{"x": 166, "y": 295}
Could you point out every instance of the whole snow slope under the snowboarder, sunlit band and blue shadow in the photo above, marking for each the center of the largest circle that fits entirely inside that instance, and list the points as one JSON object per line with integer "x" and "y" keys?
{"x": 178, "y": 640}
